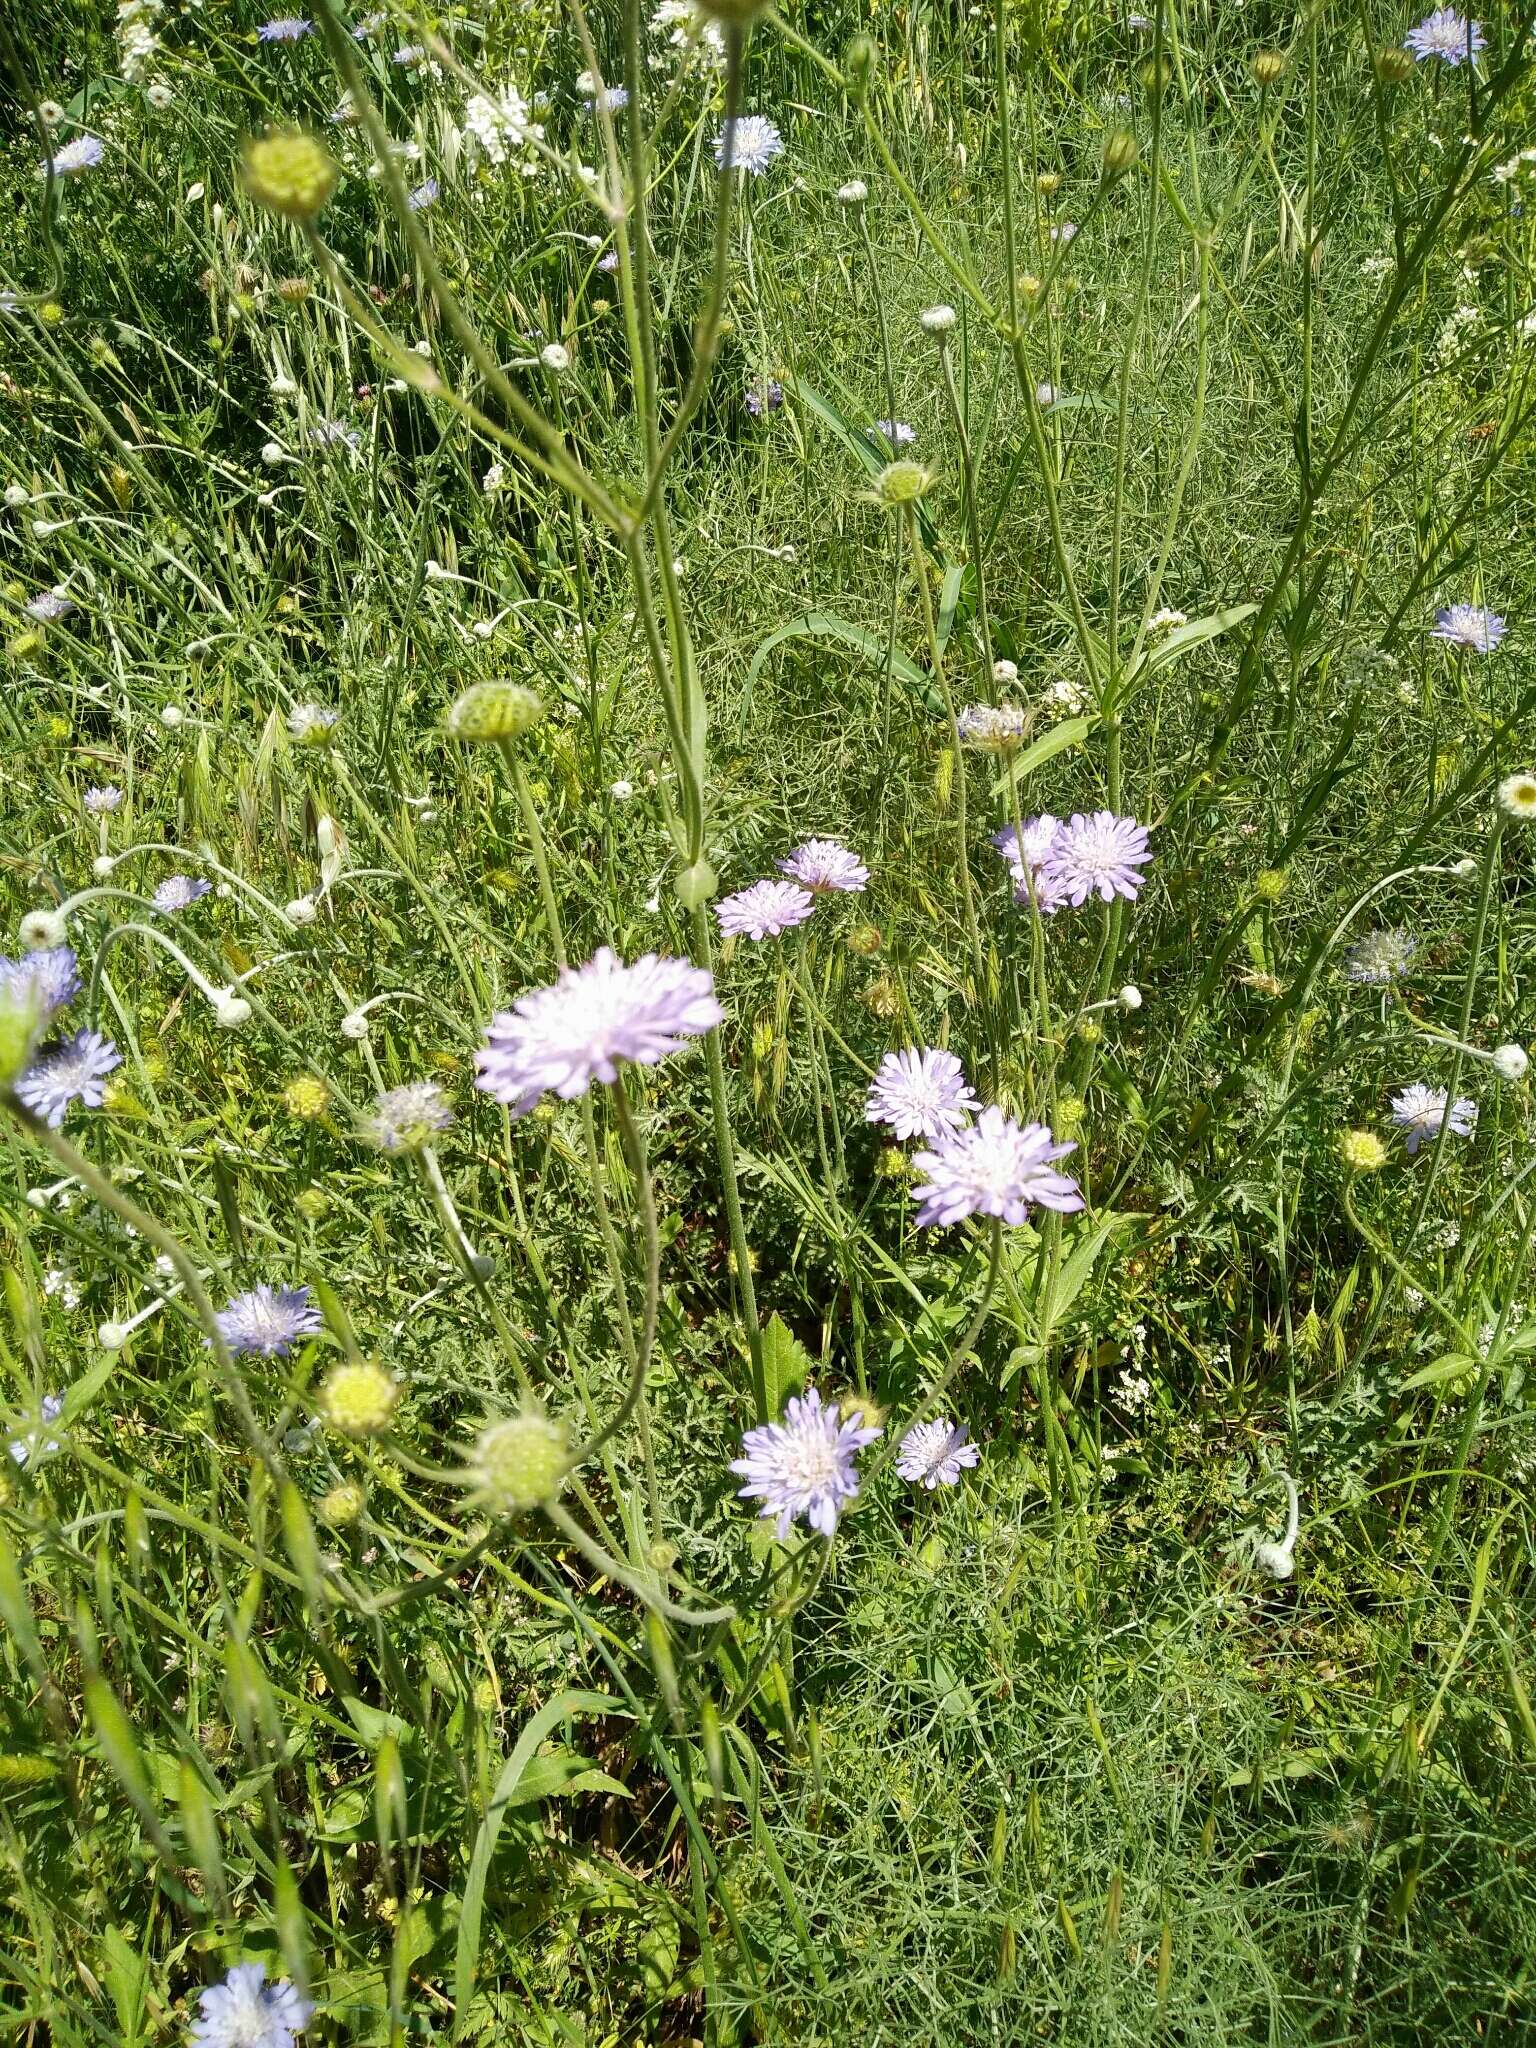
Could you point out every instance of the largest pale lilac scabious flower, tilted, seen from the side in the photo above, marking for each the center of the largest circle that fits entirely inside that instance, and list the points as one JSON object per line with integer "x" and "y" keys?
{"x": 564, "y": 1039}
